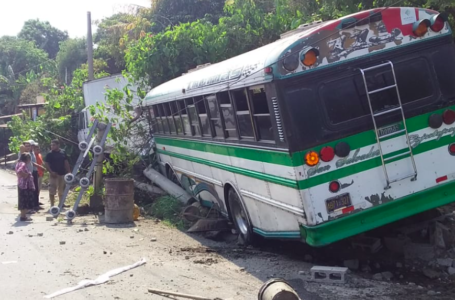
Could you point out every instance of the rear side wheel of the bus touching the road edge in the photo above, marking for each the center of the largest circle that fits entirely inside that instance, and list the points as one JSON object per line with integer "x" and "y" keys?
{"x": 240, "y": 218}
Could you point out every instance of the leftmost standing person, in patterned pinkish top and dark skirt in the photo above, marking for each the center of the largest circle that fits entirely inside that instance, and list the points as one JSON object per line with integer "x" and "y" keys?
{"x": 25, "y": 186}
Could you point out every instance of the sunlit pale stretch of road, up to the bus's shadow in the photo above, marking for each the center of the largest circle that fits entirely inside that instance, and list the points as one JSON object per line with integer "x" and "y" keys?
{"x": 38, "y": 266}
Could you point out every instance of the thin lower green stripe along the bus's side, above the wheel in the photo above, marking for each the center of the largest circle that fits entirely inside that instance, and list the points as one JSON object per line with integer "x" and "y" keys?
{"x": 261, "y": 176}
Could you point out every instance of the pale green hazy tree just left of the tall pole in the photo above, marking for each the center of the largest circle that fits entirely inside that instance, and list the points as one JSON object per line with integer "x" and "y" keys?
{"x": 72, "y": 55}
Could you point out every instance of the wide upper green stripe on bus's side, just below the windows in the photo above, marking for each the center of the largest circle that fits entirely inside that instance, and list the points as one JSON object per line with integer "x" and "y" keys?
{"x": 268, "y": 156}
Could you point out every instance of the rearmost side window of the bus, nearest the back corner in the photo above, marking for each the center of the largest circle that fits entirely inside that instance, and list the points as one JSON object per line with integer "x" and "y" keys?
{"x": 261, "y": 114}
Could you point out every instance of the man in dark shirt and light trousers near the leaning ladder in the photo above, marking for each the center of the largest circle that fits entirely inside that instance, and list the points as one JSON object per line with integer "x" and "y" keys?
{"x": 57, "y": 165}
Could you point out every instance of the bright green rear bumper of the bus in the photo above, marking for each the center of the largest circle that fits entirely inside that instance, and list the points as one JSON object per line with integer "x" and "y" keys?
{"x": 359, "y": 222}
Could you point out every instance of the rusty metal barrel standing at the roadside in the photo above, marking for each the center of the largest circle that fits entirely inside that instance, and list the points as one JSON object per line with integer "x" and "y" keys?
{"x": 119, "y": 200}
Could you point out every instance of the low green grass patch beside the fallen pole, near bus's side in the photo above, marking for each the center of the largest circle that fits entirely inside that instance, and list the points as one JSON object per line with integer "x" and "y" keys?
{"x": 168, "y": 209}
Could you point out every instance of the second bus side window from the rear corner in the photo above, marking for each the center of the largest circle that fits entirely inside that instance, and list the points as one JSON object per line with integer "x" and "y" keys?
{"x": 243, "y": 114}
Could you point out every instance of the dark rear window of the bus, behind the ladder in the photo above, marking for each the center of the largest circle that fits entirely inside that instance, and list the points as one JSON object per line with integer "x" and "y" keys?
{"x": 345, "y": 98}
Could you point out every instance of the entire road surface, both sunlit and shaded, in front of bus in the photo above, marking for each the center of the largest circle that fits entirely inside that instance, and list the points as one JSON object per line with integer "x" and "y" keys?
{"x": 32, "y": 266}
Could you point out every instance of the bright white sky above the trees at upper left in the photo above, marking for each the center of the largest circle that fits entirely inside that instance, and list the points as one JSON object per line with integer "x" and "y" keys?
{"x": 66, "y": 15}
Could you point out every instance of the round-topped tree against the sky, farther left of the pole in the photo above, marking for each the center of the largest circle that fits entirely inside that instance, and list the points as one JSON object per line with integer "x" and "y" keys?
{"x": 44, "y": 36}
